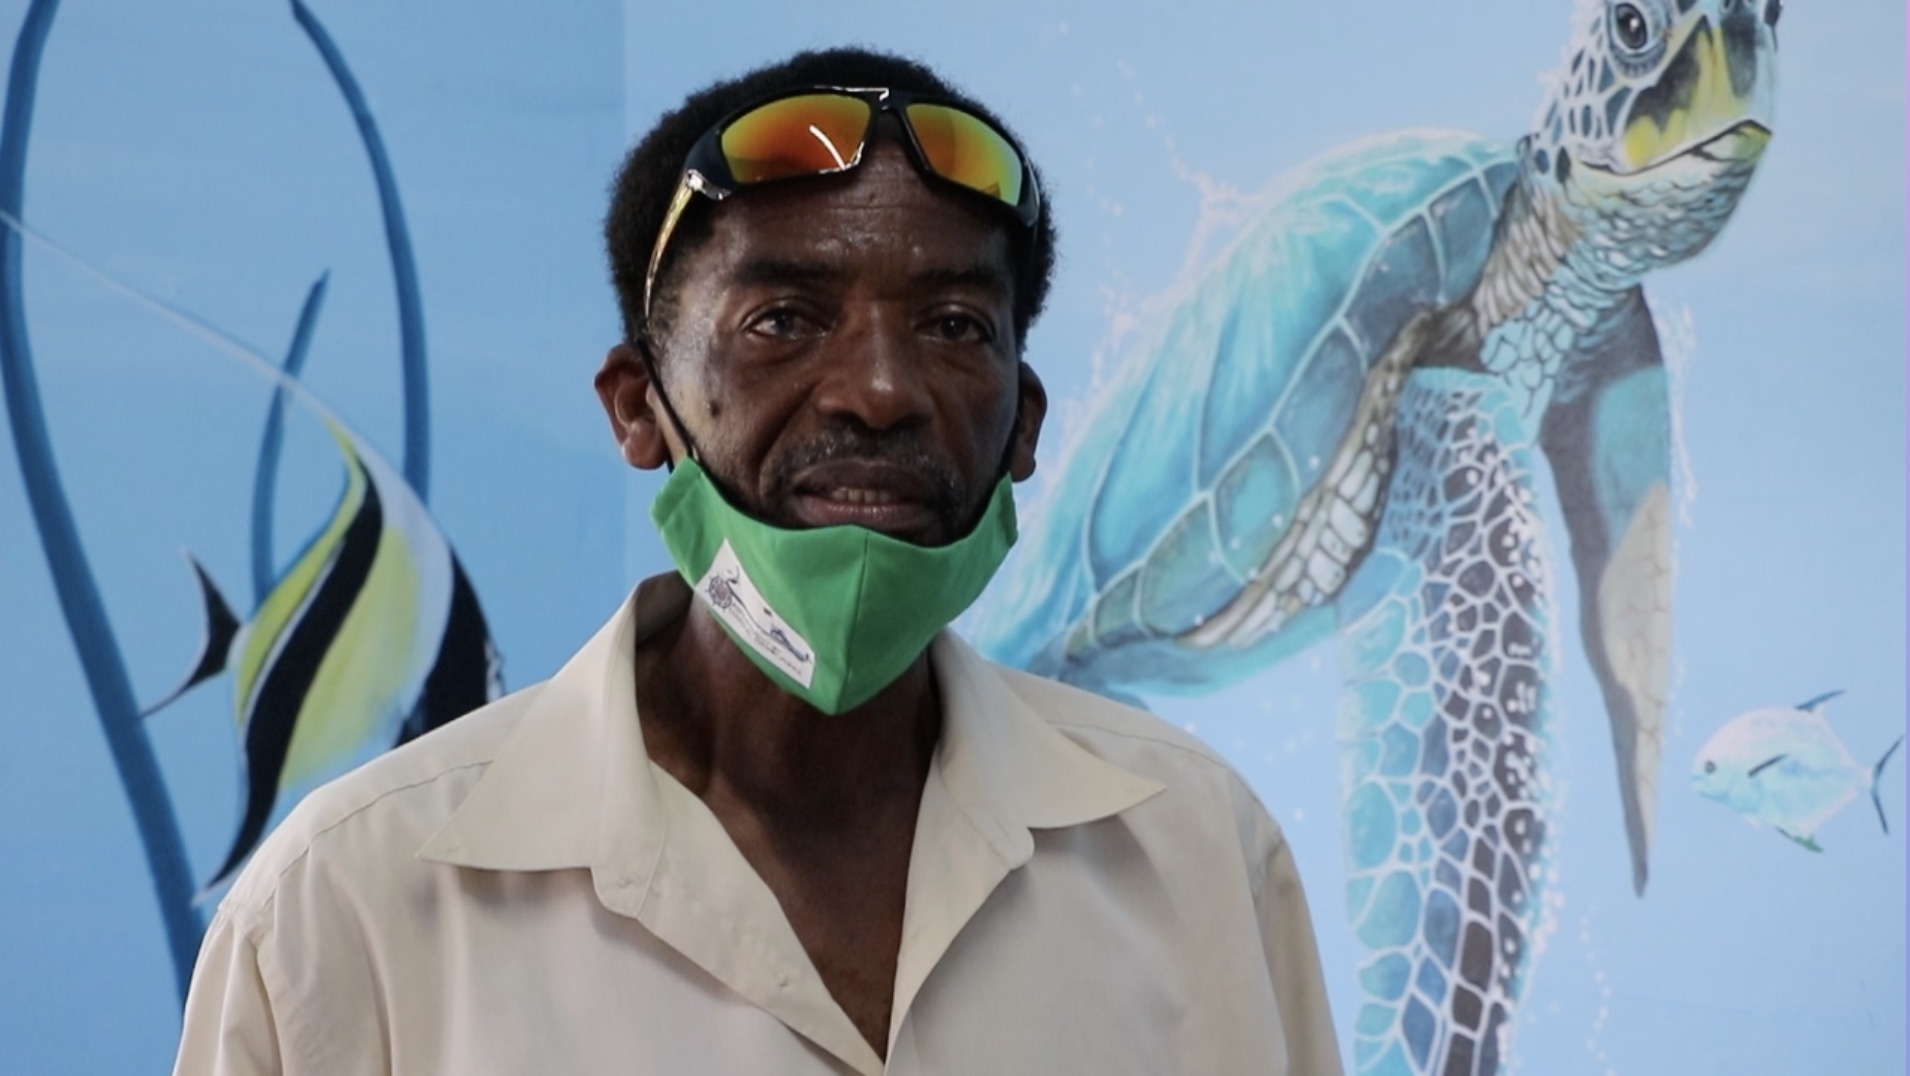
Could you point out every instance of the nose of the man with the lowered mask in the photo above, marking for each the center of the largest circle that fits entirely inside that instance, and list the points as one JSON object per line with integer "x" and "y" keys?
{"x": 876, "y": 374}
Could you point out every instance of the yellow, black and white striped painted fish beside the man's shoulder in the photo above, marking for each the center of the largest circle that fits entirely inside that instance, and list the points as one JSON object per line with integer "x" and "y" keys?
{"x": 371, "y": 637}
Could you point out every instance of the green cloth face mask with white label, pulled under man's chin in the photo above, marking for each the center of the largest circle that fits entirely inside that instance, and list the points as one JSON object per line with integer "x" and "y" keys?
{"x": 832, "y": 614}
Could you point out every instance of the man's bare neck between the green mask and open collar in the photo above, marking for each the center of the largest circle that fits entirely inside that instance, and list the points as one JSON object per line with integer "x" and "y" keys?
{"x": 723, "y": 729}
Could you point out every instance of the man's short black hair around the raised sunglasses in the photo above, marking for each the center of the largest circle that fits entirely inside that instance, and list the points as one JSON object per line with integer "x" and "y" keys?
{"x": 641, "y": 196}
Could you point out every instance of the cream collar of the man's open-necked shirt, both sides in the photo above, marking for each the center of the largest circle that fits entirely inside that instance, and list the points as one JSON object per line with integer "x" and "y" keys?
{"x": 574, "y": 786}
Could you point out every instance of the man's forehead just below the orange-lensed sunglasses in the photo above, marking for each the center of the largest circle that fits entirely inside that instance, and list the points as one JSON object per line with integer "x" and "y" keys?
{"x": 880, "y": 219}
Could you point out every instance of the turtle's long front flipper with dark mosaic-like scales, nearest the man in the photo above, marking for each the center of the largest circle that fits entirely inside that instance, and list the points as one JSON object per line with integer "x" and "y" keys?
{"x": 1447, "y": 649}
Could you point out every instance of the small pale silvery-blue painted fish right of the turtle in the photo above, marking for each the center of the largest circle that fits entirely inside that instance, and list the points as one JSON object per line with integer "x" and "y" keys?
{"x": 1787, "y": 769}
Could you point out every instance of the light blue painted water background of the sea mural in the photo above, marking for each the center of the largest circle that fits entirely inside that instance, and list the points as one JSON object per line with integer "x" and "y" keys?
{"x": 202, "y": 152}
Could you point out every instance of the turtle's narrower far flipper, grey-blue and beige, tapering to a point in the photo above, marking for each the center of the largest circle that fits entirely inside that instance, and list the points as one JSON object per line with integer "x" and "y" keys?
{"x": 1609, "y": 441}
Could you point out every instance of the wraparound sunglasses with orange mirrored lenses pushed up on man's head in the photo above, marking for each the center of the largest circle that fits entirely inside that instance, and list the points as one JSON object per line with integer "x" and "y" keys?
{"x": 824, "y": 131}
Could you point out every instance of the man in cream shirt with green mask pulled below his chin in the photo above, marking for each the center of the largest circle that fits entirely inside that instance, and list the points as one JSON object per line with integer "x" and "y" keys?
{"x": 775, "y": 819}
